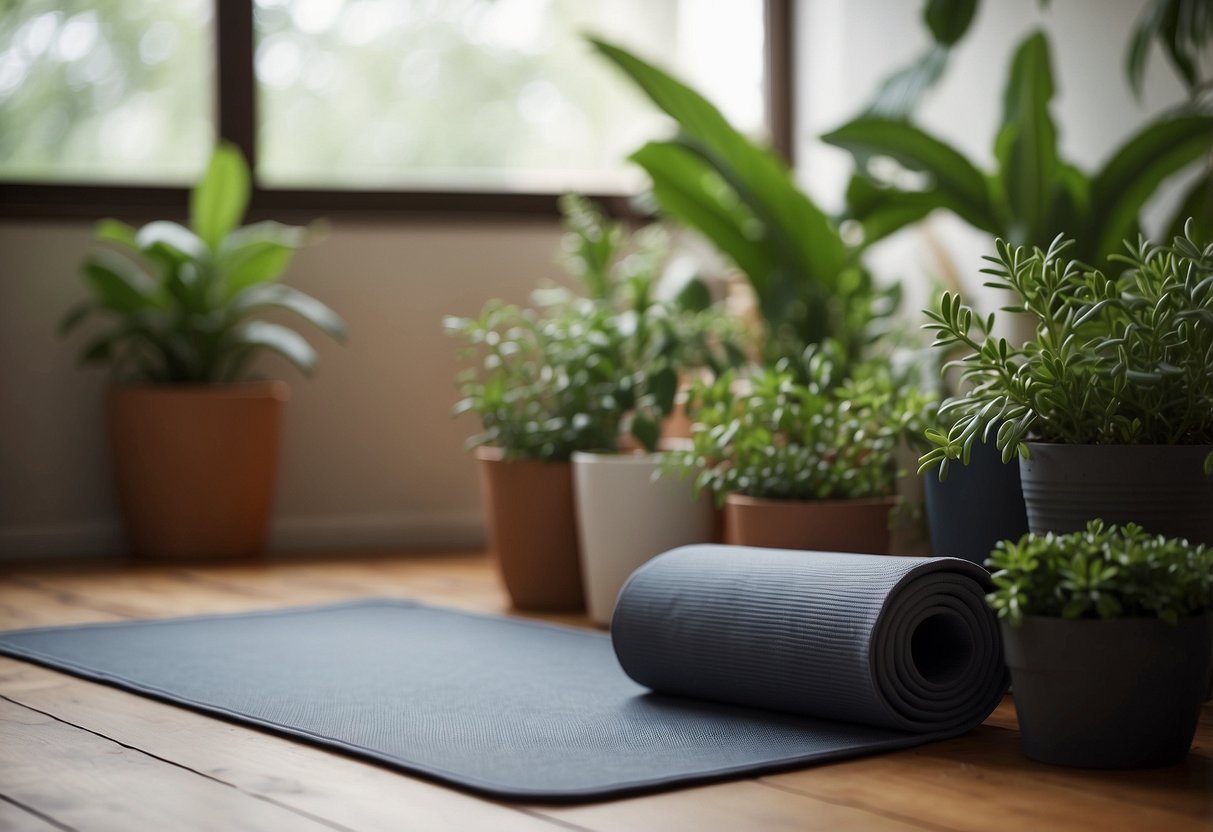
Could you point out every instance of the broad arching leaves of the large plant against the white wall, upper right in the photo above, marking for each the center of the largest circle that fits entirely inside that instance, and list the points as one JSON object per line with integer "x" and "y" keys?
{"x": 1034, "y": 195}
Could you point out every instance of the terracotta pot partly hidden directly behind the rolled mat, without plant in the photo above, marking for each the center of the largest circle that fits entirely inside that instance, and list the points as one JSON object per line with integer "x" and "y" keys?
{"x": 822, "y": 526}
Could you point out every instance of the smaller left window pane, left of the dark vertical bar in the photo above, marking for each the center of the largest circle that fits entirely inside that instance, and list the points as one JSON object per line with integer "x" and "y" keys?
{"x": 106, "y": 90}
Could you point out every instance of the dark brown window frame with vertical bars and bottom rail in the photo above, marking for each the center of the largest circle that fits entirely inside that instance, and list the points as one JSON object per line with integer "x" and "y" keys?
{"x": 236, "y": 122}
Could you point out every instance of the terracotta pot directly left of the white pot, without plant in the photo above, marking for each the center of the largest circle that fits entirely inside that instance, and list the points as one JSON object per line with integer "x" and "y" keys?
{"x": 533, "y": 531}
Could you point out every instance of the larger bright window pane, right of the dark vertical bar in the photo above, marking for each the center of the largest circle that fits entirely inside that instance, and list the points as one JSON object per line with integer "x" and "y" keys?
{"x": 499, "y": 95}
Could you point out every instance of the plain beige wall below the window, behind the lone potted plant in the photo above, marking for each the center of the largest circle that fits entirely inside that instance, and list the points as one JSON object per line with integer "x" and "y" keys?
{"x": 372, "y": 457}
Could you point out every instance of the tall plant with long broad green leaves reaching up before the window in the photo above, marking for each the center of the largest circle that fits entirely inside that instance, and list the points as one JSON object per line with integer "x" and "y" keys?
{"x": 743, "y": 198}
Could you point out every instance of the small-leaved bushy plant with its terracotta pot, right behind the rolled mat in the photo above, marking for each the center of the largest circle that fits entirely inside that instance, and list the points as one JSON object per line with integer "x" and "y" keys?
{"x": 802, "y": 460}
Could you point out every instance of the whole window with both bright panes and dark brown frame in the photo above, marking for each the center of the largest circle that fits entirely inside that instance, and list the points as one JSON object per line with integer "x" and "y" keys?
{"x": 366, "y": 106}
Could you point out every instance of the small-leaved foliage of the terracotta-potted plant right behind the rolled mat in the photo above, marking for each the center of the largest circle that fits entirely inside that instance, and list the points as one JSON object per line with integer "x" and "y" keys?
{"x": 777, "y": 437}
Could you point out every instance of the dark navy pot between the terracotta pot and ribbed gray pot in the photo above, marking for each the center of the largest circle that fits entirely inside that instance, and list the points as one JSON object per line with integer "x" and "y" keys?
{"x": 979, "y": 505}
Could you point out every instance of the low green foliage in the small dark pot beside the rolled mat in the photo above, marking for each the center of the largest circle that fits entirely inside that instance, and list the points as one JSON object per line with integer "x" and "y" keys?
{"x": 1102, "y": 573}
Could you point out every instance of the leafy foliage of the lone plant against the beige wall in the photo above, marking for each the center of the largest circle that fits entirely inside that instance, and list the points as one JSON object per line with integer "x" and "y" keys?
{"x": 184, "y": 305}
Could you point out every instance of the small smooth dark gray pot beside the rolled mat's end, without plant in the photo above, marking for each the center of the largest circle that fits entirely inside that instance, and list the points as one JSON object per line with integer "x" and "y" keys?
{"x": 1119, "y": 694}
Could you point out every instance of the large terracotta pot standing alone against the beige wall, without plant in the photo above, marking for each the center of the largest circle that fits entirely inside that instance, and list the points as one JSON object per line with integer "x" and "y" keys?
{"x": 195, "y": 466}
